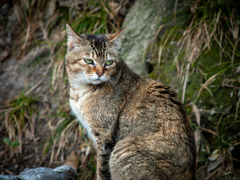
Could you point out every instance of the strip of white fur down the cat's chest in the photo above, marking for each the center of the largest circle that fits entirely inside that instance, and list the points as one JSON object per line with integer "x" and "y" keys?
{"x": 77, "y": 109}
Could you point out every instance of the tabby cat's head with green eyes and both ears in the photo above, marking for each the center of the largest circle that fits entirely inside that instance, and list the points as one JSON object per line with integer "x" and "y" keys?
{"x": 92, "y": 59}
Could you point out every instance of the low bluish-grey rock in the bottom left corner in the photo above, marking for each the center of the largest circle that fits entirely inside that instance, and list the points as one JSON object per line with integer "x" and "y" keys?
{"x": 64, "y": 172}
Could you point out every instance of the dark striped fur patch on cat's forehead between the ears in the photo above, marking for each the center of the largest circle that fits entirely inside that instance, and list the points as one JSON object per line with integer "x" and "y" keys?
{"x": 98, "y": 43}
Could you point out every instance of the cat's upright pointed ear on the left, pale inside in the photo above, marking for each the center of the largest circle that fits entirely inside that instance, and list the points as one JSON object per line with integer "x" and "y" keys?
{"x": 74, "y": 40}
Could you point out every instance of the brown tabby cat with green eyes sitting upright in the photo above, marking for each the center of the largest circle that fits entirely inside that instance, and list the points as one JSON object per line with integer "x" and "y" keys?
{"x": 138, "y": 126}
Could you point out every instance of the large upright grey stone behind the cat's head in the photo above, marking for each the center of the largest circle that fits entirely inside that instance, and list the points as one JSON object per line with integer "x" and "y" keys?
{"x": 141, "y": 24}
